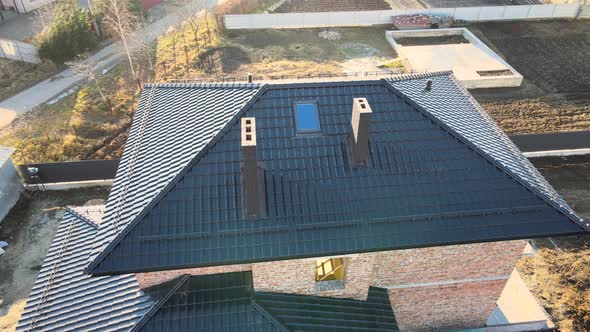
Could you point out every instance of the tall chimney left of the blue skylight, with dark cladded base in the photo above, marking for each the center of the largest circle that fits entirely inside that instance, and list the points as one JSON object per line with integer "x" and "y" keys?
{"x": 252, "y": 173}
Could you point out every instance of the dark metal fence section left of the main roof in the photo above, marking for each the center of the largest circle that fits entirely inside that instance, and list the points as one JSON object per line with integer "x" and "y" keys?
{"x": 70, "y": 171}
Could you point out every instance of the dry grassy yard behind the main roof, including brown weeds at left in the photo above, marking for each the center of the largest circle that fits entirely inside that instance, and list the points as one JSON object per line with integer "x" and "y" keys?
{"x": 271, "y": 53}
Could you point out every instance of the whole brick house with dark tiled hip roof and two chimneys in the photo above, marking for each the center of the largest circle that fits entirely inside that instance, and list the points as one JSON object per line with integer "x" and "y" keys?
{"x": 388, "y": 205}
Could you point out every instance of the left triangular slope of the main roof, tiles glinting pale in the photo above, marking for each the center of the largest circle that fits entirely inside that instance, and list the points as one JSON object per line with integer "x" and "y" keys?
{"x": 172, "y": 124}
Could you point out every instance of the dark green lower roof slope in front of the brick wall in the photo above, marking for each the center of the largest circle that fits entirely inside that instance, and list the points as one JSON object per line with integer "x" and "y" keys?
{"x": 227, "y": 302}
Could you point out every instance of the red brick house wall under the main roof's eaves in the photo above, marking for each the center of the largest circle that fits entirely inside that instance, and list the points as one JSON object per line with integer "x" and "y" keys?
{"x": 438, "y": 287}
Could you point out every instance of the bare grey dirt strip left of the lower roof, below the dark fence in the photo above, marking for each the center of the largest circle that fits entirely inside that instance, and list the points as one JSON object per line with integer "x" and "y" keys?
{"x": 29, "y": 230}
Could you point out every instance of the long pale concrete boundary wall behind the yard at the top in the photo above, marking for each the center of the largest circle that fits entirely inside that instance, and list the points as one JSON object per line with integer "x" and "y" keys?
{"x": 365, "y": 18}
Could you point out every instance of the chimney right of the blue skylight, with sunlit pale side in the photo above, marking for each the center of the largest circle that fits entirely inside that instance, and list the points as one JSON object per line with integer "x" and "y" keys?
{"x": 361, "y": 121}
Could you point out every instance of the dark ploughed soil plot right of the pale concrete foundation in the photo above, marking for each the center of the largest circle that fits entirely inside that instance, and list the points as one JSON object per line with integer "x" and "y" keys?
{"x": 554, "y": 58}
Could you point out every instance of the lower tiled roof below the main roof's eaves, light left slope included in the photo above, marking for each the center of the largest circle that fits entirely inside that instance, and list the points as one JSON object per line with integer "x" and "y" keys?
{"x": 65, "y": 299}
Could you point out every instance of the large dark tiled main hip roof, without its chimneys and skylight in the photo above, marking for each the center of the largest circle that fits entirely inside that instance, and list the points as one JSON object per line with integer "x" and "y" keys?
{"x": 440, "y": 172}
